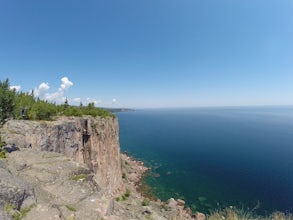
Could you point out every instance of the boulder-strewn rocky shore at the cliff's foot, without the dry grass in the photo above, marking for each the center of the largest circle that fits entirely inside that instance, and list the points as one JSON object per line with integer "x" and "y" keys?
{"x": 142, "y": 205}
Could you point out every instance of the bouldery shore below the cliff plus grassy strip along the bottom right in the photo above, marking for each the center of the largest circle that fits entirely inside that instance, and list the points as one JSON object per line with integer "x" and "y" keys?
{"x": 133, "y": 172}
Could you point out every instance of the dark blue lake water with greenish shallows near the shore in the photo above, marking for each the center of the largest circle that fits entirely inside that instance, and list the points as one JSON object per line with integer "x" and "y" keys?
{"x": 215, "y": 157}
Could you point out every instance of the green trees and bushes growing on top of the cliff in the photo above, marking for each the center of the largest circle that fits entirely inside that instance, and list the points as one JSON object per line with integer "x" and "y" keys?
{"x": 20, "y": 105}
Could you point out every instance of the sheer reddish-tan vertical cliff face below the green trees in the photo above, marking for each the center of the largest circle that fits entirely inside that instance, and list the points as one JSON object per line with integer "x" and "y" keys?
{"x": 93, "y": 141}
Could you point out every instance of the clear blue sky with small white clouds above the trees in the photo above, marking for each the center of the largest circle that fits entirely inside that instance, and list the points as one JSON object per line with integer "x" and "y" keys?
{"x": 150, "y": 53}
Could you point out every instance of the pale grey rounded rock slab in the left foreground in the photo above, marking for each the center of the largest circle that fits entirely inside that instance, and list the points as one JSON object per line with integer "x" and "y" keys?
{"x": 62, "y": 188}
